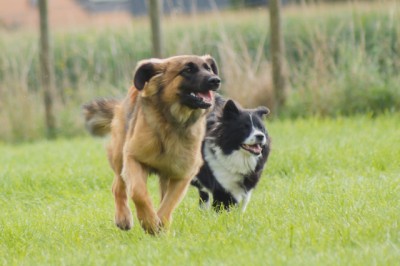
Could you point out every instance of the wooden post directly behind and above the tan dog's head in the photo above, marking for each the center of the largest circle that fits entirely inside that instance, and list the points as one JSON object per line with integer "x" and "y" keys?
{"x": 155, "y": 13}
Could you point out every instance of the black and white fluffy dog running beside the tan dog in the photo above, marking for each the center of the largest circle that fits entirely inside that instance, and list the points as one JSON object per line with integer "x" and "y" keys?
{"x": 235, "y": 150}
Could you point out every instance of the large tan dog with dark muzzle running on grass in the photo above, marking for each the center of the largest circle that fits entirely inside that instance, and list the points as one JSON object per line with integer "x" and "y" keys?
{"x": 158, "y": 127}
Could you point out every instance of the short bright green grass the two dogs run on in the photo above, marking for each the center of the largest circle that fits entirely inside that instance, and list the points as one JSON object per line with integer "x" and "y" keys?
{"x": 329, "y": 196}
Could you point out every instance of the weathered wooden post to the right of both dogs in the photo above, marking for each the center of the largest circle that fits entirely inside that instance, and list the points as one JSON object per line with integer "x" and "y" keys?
{"x": 277, "y": 54}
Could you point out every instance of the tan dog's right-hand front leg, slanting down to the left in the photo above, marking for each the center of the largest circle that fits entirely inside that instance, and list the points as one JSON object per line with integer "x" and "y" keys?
{"x": 175, "y": 192}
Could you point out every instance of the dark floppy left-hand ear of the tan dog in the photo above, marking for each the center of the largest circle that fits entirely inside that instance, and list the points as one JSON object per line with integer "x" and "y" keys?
{"x": 145, "y": 71}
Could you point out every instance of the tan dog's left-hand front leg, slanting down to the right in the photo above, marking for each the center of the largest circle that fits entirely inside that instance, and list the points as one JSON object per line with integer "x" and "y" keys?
{"x": 135, "y": 177}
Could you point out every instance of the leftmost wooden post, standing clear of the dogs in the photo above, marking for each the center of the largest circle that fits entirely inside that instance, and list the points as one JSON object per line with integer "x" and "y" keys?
{"x": 46, "y": 68}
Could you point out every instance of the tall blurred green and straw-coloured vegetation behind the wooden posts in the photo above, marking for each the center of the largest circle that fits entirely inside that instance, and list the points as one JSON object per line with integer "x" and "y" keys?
{"x": 342, "y": 59}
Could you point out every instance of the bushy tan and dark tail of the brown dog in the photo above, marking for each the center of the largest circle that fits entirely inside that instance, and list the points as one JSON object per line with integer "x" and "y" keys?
{"x": 98, "y": 116}
